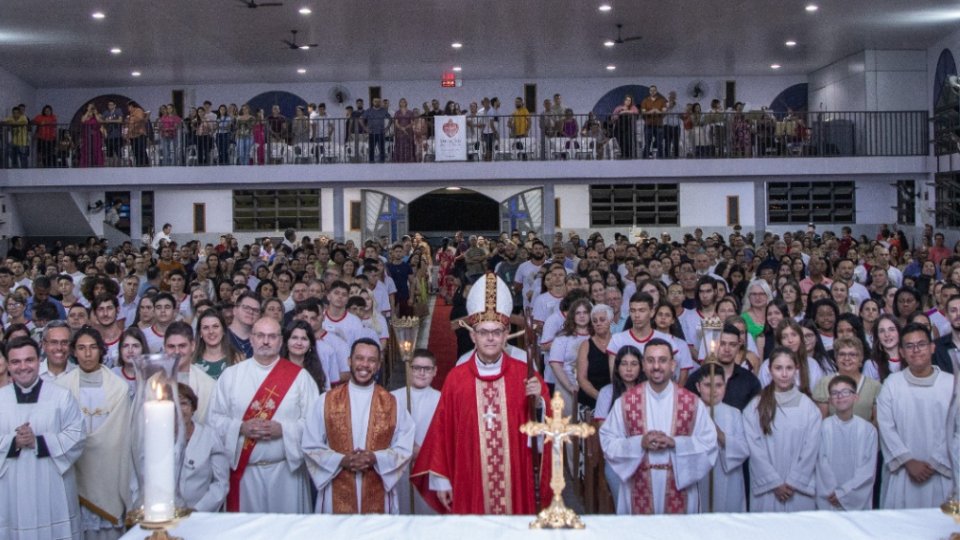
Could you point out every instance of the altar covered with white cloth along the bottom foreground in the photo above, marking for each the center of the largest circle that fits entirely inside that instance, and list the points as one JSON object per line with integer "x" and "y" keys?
{"x": 927, "y": 524}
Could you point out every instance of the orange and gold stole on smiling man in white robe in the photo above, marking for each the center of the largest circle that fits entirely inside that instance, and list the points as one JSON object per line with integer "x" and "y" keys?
{"x": 382, "y": 424}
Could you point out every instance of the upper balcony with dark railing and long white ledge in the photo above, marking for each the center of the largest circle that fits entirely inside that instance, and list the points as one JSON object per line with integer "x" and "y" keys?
{"x": 569, "y": 148}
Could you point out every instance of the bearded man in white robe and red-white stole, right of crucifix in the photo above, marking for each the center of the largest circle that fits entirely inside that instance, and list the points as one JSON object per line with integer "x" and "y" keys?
{"x": 658, "y": 438}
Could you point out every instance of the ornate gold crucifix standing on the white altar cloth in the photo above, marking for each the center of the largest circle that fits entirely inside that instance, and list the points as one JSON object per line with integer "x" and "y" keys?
{"x": 557, "y": 429}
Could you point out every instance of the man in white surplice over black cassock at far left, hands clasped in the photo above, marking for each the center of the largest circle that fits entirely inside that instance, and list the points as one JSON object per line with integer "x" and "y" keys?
{"x": 41, "y": 437}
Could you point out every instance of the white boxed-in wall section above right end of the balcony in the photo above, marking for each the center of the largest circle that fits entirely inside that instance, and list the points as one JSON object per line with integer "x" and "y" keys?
{"x": 871, "y": 80}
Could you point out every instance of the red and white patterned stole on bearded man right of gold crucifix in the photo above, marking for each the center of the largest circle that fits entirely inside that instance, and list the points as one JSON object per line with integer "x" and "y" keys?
{"x": 635, "y": 419}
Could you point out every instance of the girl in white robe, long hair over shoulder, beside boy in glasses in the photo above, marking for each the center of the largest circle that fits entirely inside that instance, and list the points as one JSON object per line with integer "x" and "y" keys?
{"x": 783, "y": 432}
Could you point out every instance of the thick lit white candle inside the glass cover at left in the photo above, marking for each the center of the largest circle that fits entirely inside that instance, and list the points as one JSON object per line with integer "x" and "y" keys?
{"x": 158, "y": 478}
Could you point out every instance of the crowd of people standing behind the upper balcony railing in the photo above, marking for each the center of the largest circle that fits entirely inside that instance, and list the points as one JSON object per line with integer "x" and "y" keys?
{"x": 657, "y": 126}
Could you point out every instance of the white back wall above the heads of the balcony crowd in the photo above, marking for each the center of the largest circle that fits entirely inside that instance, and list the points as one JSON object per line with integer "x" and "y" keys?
{"x": 578, "y": 94}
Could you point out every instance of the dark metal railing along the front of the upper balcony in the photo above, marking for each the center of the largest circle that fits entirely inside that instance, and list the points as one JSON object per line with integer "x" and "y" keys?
{"x": 301, "y": 140}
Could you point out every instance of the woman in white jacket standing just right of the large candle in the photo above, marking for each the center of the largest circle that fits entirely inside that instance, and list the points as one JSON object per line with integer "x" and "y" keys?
{"x": 205, "y": 471}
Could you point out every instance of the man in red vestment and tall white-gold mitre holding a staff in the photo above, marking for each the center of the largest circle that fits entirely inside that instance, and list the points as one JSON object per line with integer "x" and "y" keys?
{"x": 474, "y": 459}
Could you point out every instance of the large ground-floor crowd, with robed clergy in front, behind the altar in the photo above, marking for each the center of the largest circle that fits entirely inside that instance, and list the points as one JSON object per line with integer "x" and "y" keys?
{"x": 826, "y": 359}
